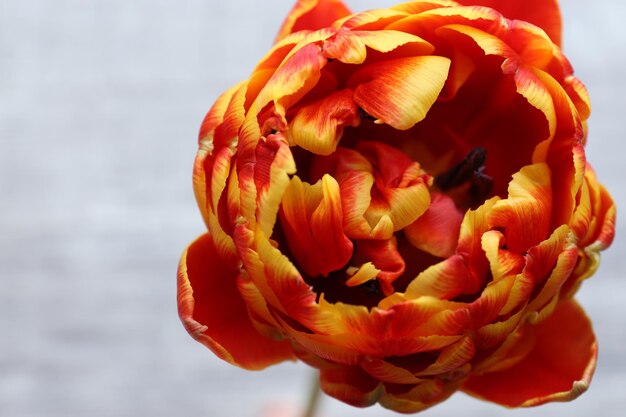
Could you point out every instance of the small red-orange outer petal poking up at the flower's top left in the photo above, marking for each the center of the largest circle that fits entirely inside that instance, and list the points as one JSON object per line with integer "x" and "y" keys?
{"x": 312, "y": 15}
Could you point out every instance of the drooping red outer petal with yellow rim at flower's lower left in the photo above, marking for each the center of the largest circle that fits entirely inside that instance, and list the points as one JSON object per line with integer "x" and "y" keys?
{"x": 213, "y": 312}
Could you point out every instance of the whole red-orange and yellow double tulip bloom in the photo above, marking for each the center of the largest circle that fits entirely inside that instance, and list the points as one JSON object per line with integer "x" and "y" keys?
{"x": 400, "y": 198}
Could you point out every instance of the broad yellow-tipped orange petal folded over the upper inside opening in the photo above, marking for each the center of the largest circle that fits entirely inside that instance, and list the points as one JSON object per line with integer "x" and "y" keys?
{"x": 399, "y": 92}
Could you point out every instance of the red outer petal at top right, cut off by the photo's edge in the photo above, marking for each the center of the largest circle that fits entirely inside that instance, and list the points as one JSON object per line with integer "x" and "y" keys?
{"x": 543, "y": 13}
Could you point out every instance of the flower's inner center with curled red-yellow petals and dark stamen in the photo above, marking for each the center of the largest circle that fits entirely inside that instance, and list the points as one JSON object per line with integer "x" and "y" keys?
{"x": 366, "y": 221}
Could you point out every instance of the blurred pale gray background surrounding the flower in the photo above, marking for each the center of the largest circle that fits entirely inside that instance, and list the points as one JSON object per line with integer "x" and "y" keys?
{"x": 100, "y": 104}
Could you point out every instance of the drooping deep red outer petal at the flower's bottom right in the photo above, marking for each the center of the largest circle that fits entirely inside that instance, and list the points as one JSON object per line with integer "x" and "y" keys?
{"x": 559, "y": 368}
